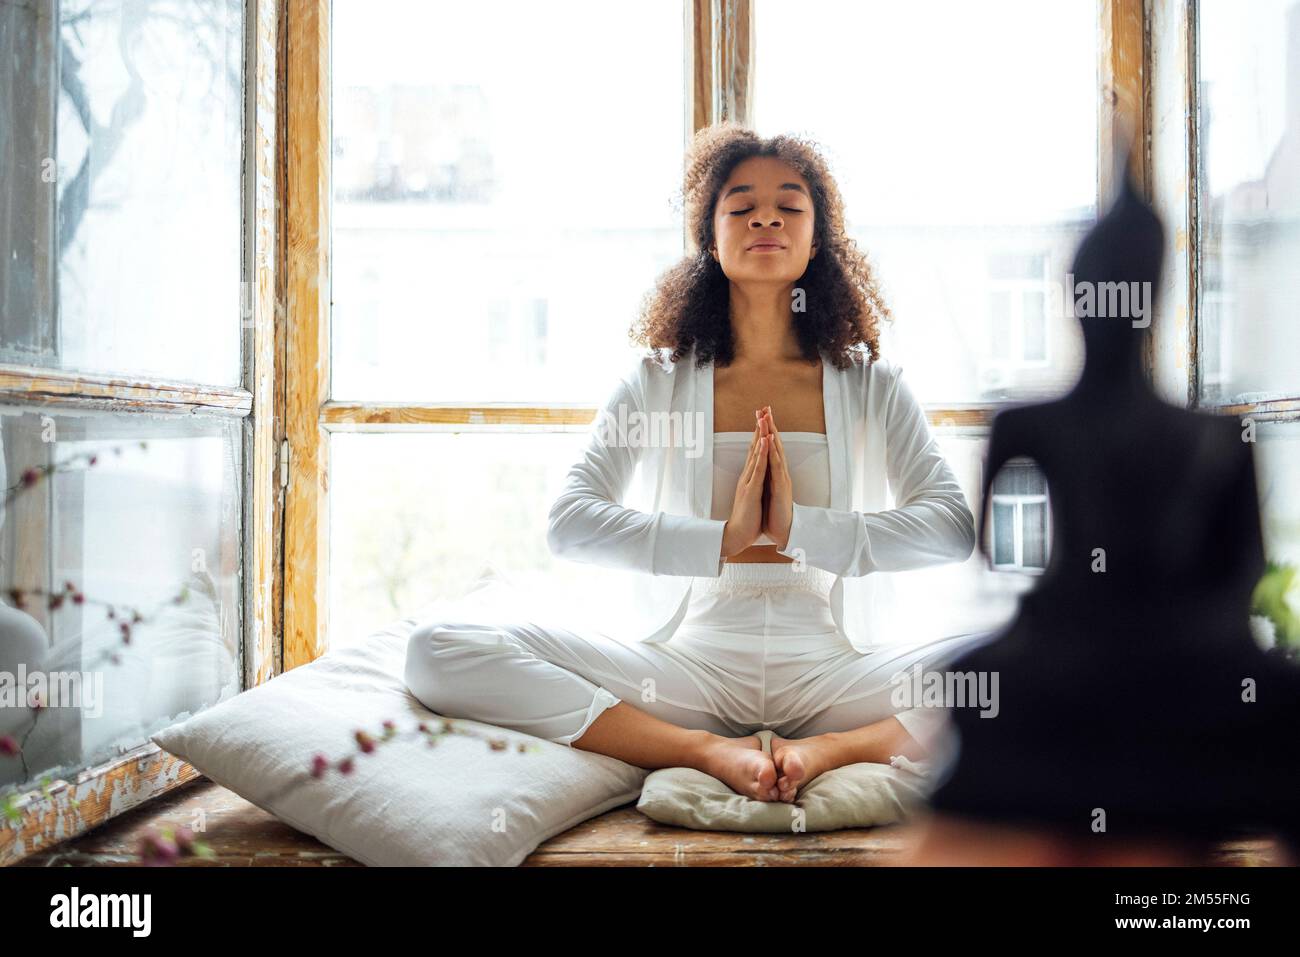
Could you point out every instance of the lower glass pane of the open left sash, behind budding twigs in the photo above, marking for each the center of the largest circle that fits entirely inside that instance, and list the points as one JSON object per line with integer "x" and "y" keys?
{"x": 136, "y": 530}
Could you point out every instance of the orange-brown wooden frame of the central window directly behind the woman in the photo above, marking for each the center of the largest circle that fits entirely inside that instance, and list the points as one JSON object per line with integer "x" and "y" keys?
{"x": 720, "y": 86}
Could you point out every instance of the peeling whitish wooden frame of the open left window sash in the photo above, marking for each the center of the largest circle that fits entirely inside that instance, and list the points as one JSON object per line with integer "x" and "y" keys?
{"x": 72, "y": 806}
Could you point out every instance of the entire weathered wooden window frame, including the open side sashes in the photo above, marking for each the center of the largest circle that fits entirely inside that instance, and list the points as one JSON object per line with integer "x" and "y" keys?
{"x": 1147, "y": 85}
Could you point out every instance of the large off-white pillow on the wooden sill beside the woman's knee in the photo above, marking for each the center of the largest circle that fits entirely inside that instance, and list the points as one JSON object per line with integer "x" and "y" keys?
{"x": 458, "y": 803}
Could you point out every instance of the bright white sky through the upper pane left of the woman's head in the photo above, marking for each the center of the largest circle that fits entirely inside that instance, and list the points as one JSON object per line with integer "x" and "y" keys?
{"x": 587, "y": 98}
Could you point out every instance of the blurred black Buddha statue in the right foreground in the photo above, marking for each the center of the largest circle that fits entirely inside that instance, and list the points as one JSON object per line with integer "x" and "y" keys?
{"x": 1134, "y": 700}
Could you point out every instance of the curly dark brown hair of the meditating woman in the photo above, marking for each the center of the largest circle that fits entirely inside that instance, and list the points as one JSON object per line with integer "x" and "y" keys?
{"x": 690, "y": 305}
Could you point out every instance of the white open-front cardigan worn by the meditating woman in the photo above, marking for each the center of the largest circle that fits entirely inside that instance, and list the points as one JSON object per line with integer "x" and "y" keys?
{"x": 639, "y": 501}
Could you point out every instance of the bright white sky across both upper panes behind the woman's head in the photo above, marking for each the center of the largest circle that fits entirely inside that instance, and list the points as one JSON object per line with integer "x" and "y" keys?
{"x": 933, "y": 112}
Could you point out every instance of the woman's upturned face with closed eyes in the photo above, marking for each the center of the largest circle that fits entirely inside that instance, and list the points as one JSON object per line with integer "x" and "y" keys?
{"x": 764, "y": 223}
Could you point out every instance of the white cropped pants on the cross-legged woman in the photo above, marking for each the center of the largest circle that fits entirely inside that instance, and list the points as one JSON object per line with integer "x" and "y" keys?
{"x": 759, "y": 649}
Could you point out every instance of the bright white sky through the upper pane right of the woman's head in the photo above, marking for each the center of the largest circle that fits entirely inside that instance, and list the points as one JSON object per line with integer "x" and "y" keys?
{"x": 942, "y": 111}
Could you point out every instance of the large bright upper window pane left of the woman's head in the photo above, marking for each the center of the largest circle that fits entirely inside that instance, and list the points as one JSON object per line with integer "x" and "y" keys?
{"x": 504, "y": 185}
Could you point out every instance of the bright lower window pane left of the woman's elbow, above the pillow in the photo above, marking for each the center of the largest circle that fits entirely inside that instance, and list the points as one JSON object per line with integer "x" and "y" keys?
{"x": 415, "y": 518}
